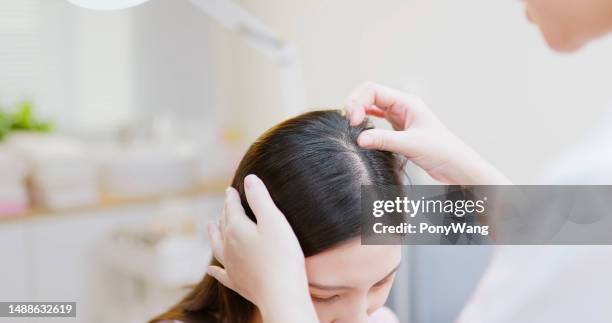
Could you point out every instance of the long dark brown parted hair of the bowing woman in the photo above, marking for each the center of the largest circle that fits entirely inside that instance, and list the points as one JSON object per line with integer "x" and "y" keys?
{"x": 313, "y": 169}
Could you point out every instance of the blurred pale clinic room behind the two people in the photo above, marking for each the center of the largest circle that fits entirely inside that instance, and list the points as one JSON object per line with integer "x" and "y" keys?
{"x": 119, "y": 130}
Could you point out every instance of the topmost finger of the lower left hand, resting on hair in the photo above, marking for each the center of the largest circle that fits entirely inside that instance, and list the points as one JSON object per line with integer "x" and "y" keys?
{"x": 259, "y": 198}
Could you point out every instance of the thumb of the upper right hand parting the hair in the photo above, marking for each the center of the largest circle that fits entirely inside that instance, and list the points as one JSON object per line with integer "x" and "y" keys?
{"x": 390, "y": 140}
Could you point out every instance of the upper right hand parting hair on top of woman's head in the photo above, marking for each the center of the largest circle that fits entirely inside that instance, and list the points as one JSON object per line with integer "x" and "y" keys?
{"x": 418, "y": 135}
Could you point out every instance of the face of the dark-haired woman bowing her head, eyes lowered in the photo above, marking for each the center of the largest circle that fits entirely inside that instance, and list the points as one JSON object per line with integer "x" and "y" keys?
{"x": 349, "y": 282}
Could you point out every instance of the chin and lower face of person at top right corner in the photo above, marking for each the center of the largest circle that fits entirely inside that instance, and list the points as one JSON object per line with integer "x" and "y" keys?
{"x": 567, "y": 25}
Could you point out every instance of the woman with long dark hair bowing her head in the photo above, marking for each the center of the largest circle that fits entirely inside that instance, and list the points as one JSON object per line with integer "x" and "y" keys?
{"x": 313, "y": 170}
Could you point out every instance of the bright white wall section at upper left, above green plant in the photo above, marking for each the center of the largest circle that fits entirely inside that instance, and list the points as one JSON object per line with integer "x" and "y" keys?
{"x": 74, "y": 64}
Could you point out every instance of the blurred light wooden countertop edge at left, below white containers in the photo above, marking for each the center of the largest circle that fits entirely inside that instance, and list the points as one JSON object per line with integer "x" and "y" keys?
{"x": 108, "y": 202}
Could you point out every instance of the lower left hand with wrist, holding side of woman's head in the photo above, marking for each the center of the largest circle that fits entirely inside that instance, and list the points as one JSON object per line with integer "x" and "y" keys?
{"x": 261, "y": 261}
